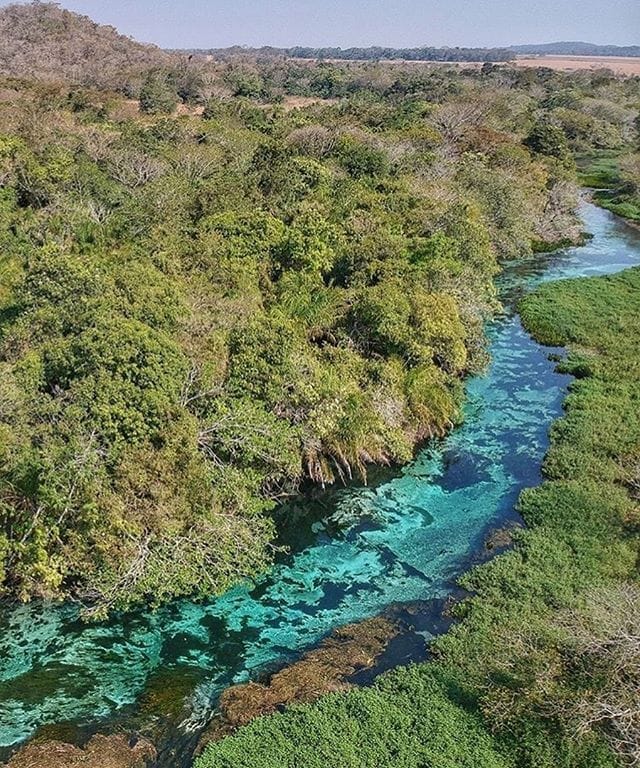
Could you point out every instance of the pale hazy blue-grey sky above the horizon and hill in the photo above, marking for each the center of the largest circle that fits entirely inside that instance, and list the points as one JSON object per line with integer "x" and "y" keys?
{"x": 213, "y": 23}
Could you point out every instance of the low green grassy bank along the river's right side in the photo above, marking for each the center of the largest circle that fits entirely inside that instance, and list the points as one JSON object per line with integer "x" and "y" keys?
{"x": 540, "y": 672}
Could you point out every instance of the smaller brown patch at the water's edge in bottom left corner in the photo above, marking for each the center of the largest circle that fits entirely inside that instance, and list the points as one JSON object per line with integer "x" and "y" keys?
{"x": 101, "y": 752}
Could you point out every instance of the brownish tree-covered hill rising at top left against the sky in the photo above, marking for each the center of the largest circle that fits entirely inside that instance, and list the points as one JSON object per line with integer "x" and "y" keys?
{"x": 45, "y": 41}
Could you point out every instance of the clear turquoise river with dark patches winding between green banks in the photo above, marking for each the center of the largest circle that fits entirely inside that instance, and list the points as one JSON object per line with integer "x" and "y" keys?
{"x": 406, "y": 539}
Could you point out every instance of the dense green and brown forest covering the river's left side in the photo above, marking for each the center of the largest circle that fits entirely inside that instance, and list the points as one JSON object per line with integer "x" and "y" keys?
{"x": 202, "y": 311}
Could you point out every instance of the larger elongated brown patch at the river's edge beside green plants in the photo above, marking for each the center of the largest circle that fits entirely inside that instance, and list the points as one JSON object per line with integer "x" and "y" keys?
{"x": 321, "y": 671}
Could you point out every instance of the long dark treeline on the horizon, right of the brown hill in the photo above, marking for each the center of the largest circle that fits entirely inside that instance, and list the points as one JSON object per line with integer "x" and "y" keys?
{"x": 373, "y": 53}
